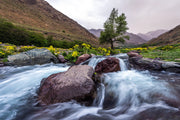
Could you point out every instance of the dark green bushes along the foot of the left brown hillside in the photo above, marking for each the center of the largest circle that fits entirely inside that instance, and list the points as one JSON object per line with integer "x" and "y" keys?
{"x": 19, "y": 36}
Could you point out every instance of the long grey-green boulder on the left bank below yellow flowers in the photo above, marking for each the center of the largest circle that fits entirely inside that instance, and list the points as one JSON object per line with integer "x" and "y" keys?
{"x": 32, "y": 57}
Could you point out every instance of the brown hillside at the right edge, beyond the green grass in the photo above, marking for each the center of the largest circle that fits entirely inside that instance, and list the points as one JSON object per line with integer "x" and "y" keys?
{"x": 168, "y": 38}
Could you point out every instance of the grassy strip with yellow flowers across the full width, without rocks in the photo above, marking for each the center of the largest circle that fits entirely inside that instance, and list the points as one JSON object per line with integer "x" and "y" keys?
{"x": 167, "y": 53}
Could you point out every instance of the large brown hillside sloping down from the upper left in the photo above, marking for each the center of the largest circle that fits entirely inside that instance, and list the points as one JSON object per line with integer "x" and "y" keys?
{"x": 39, "y": 16}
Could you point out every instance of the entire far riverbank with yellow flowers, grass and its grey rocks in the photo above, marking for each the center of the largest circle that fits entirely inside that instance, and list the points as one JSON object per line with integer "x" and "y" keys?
{"x": 80, "y": 53}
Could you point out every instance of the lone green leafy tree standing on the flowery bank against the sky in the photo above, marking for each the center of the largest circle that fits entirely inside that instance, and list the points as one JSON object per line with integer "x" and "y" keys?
{"x": 114, "y": 29}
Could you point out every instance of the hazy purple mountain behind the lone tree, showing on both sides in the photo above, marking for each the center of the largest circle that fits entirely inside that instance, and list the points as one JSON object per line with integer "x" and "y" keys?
{"x": 134, "y": 39}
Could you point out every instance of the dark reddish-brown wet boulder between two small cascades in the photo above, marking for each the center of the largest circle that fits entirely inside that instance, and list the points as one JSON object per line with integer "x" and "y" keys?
{"x": 110, "y": 64}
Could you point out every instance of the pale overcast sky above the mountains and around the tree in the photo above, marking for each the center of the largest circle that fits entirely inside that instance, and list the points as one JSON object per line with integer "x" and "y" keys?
{"x": 142, "y": 15}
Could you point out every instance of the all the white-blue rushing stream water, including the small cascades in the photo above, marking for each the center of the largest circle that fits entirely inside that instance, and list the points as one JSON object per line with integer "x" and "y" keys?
{"x": 122, "y": 95}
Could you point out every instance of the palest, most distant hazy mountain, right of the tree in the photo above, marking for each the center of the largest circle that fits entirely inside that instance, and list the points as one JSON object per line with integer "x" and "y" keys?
{"x": 152, "y": 34}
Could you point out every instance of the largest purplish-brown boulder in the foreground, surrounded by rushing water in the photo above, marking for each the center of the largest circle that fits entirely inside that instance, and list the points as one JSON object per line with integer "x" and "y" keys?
{"x": 76, "y": 83}
